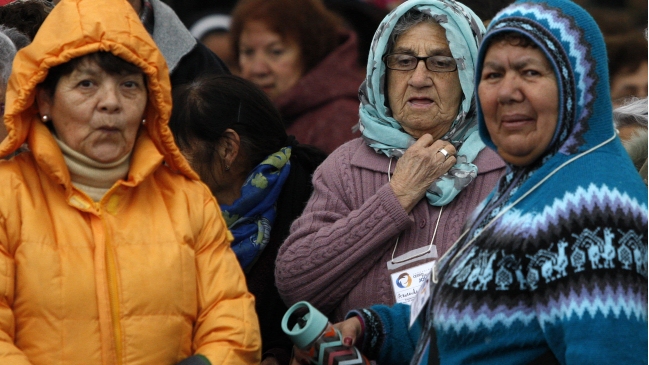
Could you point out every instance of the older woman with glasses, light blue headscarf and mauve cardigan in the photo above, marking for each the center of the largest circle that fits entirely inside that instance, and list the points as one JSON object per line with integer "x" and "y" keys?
{"x": 389, "y": 203}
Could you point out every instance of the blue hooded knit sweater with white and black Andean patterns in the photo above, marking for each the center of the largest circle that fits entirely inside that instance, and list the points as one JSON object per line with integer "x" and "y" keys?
{"x": 556, "y": 266}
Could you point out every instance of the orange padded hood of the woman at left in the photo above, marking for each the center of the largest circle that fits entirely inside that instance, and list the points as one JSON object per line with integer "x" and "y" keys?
{"x": 76, "y": 28}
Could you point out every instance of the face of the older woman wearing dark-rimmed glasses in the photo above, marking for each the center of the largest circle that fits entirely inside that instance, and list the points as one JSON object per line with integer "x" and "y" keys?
{"x": 424, "y": 101}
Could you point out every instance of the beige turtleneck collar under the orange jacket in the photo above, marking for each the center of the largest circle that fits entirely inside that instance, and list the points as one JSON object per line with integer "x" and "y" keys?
{"x": 92, "y": 177}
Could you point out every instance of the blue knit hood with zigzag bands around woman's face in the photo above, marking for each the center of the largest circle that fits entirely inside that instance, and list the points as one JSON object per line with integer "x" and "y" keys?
{"x": 574, "y": 46}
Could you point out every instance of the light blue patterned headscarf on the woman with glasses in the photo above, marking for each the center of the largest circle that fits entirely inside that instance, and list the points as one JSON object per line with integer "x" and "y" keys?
{"x": 464, "y": 31}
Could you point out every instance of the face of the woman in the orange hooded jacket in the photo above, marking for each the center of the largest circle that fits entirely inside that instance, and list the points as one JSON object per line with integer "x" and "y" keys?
{"x": 95, "y": 113}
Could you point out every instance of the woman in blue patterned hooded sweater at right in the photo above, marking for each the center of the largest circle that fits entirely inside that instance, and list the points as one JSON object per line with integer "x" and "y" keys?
{"x": 552, "y": 267}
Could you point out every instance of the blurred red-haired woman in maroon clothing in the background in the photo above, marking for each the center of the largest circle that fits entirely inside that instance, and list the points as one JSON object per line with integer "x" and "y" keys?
{"x": 302, "y": 57}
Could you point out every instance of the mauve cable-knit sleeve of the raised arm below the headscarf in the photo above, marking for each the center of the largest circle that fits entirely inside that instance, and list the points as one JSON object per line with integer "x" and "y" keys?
{"x": 334, "y": 243}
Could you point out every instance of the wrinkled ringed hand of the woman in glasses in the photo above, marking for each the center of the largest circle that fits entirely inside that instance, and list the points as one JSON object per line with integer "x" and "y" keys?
{"x": 419, "y": 166}
